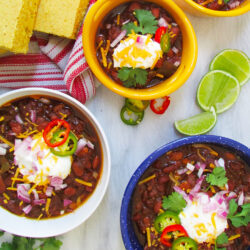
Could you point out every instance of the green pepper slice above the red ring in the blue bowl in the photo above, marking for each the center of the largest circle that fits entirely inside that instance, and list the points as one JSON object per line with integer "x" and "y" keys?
{"x": 166, "y": 219}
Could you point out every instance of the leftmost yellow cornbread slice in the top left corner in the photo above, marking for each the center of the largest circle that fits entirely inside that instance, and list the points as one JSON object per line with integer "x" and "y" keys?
{"x": 17, "y": 18}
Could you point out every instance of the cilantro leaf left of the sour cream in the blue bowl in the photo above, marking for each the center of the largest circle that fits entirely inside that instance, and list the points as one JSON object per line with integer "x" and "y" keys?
{"x": 174, "y": 202}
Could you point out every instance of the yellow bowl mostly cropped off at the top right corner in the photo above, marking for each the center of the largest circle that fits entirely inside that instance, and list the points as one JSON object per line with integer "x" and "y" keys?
{"x": 198, "y": 10}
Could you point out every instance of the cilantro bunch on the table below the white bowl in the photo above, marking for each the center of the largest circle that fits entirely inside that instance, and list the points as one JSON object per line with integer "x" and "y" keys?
{"x": 22, "y": 243}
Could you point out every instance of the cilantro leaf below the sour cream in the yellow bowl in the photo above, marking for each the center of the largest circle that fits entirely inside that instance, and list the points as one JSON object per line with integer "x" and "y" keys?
{"x": 131, "y": 77}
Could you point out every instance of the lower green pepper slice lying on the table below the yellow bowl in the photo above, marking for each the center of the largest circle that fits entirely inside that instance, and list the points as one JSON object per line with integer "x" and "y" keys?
{"x": 130, "y": 117}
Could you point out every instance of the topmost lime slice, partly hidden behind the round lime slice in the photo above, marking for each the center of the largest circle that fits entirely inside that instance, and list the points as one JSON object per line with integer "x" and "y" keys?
{"x": 234, "y": 62}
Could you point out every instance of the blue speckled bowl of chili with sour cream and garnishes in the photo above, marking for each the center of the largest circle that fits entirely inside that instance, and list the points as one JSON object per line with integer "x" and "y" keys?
{"x": 156, "y": 204}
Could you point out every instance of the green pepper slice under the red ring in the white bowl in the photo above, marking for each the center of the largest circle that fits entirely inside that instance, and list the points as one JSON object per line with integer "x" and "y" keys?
{"x": 68, "y": 148}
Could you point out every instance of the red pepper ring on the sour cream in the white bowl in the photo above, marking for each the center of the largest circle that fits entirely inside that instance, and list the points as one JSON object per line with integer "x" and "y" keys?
{"x": 53, "y": 127}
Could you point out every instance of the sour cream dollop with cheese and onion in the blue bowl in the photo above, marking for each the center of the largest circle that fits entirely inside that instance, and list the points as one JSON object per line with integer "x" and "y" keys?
{"x": 203, "y": 224}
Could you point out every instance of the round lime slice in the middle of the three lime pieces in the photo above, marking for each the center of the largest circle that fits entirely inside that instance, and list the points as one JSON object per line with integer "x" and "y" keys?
{"x": 218, "y": 89}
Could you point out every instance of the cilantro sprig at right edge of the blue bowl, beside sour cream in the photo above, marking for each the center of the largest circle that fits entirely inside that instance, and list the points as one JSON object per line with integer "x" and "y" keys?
{"x": 239, "y": 219}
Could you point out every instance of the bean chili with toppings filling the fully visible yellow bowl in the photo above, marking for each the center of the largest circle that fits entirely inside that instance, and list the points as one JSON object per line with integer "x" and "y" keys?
{"x": 112, "y": 33}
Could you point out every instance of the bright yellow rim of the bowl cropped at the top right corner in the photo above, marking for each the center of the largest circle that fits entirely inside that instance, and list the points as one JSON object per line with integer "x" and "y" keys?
{"x": 241, "y": 9}
